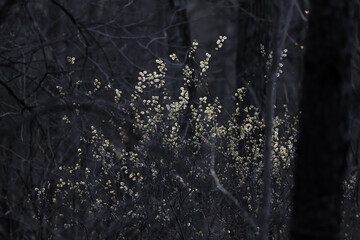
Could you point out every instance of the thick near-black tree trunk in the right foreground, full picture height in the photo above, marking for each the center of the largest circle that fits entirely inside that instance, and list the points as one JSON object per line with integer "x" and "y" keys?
{"x": 323, "y": 138}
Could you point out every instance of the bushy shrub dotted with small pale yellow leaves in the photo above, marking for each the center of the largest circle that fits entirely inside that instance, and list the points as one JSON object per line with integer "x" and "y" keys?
{"x": 161, "y": 187}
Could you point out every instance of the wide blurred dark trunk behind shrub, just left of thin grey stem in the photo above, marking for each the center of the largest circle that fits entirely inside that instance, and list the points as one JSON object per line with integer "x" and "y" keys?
{"x": 253, "y": 30}
